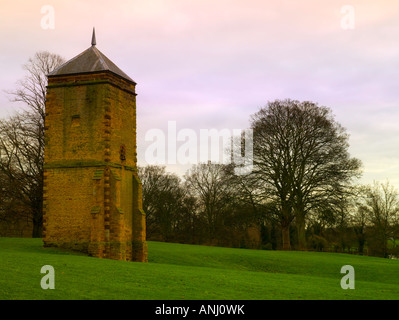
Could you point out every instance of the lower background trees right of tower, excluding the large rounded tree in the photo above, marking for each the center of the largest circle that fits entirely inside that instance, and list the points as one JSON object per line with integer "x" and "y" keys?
{"x": 211, "y": 206}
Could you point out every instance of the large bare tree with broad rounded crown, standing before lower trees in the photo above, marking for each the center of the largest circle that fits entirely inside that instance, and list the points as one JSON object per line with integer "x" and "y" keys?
{"x": 301, "y": 159}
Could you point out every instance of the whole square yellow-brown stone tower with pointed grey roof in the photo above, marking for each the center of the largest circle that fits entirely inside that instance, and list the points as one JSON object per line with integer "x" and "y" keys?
{"x": 92, "y": 193}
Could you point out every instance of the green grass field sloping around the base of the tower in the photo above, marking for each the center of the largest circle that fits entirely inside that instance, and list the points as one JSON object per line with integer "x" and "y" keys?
{"x": 176, "y": 272}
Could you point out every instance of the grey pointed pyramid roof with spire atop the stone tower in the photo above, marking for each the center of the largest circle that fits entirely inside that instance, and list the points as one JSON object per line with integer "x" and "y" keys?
{"x": 89, "y": 61}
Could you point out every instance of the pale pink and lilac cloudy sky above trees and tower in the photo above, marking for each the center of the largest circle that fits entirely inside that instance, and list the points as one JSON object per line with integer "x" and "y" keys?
{"x": 211, "y": 64}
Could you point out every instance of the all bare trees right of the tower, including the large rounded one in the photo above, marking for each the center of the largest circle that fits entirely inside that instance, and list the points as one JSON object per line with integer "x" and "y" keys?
{"x": 301, "y": 192}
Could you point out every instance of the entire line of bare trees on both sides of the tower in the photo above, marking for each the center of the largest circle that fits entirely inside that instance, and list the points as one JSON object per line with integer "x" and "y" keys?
{"x": 301, "y": 193}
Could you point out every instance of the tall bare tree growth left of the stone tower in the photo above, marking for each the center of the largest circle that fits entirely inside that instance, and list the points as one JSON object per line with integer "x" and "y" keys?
{"x": 22, "y": 138}
